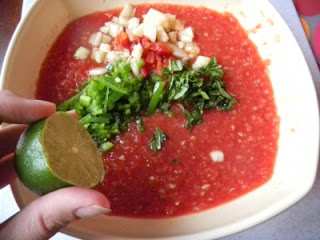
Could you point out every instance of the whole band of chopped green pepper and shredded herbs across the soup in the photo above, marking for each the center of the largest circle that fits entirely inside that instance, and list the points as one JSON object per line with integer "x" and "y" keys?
{"x": 107, "y": 104}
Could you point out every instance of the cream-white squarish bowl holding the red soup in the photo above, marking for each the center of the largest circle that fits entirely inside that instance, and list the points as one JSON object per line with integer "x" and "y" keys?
{"x": 295, "y": 97}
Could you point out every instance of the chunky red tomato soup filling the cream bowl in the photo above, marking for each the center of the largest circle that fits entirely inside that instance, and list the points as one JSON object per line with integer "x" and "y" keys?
{"x": 227, "y": 155}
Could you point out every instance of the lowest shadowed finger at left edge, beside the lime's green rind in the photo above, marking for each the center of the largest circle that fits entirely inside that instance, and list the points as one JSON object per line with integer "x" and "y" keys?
{"x": 7, "y": 170}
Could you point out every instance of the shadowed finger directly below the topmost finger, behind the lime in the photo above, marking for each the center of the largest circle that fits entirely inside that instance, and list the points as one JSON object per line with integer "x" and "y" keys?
{"x": 9, "y": 137}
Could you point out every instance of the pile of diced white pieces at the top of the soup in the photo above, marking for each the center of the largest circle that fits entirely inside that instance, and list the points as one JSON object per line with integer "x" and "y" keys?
{"x": 157, "y": 26}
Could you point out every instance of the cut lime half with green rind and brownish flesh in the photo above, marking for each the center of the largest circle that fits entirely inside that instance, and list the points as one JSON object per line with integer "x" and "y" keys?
{"x": 58, "y": 152}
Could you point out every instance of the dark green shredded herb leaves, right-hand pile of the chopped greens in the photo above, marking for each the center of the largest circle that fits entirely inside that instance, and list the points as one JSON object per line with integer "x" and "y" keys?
{"x": 199, "y": 89}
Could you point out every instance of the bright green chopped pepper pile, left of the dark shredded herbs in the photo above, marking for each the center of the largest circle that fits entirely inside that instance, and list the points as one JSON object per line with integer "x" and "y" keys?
{"x": 106, "y": 106}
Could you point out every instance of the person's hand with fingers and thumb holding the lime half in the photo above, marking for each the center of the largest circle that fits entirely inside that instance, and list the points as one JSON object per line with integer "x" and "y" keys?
{"x": 42, "y": 218}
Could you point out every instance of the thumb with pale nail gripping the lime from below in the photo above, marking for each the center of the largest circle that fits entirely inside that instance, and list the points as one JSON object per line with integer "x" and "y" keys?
{"x": 47, "y": 215}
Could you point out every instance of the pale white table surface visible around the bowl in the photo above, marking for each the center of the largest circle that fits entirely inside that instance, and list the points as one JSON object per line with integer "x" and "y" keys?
{"x": 302, "y": 221}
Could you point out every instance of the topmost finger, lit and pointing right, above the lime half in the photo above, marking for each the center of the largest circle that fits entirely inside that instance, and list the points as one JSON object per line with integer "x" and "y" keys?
{"x": 15, "y": 109}
